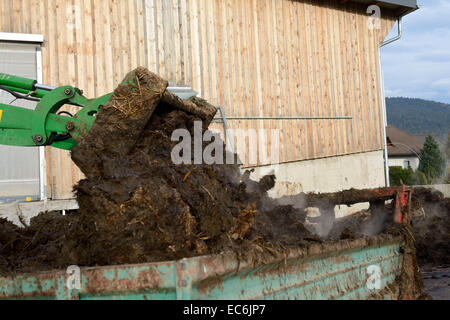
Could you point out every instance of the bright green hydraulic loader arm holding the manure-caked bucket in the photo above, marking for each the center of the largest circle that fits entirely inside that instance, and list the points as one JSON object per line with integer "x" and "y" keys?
{"x": 44, "y": 126}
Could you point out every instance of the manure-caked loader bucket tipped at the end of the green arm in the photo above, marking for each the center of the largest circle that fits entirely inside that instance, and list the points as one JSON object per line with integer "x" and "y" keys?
{"x": 125, "y": 116}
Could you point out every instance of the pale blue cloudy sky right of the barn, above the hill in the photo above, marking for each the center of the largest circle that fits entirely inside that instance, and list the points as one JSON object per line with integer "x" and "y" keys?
{"x": 418, "y": 65}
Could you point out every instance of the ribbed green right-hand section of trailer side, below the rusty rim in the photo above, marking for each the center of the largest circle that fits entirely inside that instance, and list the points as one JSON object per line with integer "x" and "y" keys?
{"x": 321, "y": 277}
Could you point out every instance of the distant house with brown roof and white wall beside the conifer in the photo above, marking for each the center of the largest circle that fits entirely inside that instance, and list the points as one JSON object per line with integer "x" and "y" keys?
{"x": 403, "y": 148}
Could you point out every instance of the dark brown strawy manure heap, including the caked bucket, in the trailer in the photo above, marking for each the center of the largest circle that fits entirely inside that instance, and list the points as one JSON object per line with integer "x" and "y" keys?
{"x": 137, "y": 206}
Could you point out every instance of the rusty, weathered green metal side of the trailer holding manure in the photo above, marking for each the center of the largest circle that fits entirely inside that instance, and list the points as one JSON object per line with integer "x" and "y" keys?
{"x": 336, "y": 270}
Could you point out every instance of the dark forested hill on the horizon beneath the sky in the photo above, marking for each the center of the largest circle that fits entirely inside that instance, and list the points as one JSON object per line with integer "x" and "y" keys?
{"x": 419, "y": 116}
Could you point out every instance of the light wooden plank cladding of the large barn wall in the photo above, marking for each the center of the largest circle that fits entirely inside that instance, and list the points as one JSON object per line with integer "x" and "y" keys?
{"x": 253, "y": 57}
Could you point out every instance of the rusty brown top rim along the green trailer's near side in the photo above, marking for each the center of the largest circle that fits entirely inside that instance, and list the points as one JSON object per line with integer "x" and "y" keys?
{"x": 188, "y": 271}
